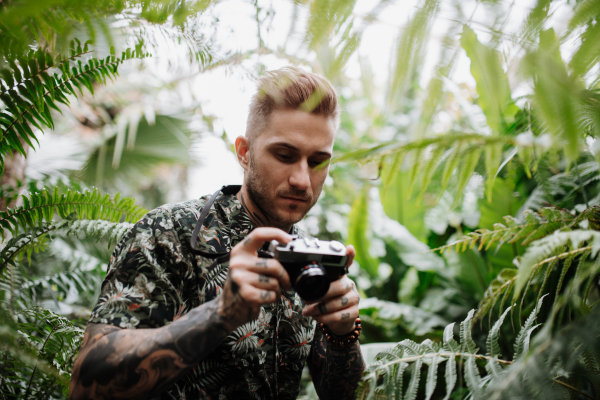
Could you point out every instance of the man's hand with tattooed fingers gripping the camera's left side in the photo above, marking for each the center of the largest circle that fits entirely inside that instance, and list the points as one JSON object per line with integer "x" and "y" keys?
{"x": 252, "y": 281}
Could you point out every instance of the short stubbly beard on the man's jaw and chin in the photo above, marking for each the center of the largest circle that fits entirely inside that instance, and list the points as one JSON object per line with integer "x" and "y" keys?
{"x": 258, "y": 188}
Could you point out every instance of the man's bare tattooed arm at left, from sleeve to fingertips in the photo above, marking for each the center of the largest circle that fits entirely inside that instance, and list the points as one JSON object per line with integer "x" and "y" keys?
{"x": 117, "y": 363}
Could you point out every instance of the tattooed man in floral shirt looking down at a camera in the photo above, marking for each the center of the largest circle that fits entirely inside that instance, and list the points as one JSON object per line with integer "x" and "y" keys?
{"x": 172, "y": 323}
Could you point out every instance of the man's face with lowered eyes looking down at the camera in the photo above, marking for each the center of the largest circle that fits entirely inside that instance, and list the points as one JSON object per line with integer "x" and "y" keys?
{"x": 281, "y": 177}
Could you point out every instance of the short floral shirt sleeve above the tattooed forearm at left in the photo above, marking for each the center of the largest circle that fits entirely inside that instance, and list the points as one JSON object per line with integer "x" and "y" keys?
{"x": 145, "y": 281}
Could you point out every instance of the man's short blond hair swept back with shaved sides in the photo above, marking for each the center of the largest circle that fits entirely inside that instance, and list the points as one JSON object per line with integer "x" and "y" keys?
{"x": 290, "y": 88}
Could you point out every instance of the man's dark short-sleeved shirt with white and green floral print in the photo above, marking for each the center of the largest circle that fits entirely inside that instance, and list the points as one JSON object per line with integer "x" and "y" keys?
{"x": 154, "y": 278}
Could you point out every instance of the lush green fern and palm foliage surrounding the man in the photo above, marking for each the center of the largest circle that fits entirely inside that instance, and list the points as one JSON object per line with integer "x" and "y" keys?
{"x": 498, "y": 176}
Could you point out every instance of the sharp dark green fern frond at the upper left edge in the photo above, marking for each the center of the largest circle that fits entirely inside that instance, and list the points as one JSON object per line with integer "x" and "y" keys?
{"x": 29, "y": 92}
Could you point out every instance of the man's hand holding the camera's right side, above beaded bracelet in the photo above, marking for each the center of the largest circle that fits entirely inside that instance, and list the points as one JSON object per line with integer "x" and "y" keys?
{"x": 338, "y": 309}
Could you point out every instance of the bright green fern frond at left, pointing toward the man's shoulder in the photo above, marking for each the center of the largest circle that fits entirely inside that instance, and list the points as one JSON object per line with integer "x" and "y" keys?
{"x": 41, "y": 207}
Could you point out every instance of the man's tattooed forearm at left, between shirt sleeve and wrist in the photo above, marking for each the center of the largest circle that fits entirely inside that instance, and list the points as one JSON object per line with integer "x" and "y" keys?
{"x": 119, "y": 363}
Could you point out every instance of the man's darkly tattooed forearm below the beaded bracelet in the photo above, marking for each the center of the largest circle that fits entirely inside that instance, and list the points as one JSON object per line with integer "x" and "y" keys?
{"x": 335, "y": 371}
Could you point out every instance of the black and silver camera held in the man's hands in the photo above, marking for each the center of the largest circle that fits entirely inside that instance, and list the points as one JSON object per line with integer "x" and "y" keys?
{"x": 312, "y": 264}
